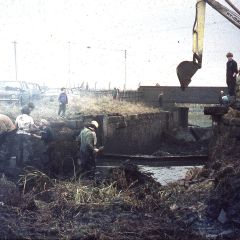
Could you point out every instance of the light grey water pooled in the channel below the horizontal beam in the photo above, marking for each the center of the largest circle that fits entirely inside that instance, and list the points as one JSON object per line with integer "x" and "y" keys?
{"x": 166, "y": 175}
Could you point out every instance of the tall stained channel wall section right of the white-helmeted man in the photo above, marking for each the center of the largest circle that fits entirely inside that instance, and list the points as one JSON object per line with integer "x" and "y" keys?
{"x": 137, "y": 133}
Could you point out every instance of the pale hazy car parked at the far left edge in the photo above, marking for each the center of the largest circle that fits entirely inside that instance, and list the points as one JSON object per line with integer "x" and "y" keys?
{"x": 14, "y": 92}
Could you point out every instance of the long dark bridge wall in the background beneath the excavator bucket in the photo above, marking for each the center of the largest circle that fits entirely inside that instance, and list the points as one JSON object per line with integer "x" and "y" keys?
{"x": 174, "y": 94}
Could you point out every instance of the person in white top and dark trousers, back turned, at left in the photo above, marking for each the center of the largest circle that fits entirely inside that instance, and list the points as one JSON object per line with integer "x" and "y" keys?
{"x": 25, "y": 125}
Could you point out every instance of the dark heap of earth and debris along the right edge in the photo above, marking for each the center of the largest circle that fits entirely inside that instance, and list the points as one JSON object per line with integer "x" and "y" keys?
{"x": 224, "y": 202}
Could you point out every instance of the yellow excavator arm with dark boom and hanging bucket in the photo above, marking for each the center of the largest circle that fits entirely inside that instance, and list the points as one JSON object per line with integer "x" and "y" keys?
{"x": 186, "y": 69}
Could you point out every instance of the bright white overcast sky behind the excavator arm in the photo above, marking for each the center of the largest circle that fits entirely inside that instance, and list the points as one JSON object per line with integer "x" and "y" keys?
{"x": 67, "y": 42}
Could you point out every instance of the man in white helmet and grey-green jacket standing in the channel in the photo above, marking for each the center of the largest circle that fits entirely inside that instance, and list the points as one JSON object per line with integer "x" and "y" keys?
{"x": 88, "y": 150}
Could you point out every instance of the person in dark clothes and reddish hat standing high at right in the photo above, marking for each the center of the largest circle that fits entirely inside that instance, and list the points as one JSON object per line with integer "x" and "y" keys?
{"x": 231, "y": 74}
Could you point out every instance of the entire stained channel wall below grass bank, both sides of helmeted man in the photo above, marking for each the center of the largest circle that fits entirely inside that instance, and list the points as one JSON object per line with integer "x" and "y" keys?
{"x": 140, "y": 133}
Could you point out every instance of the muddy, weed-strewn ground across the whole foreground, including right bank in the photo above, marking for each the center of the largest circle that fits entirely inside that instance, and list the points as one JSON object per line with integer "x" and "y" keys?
{"x": 128, "y": 204}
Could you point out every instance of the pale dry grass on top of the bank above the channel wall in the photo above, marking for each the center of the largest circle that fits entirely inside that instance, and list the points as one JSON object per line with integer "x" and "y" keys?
{"x": 80, "y": 105}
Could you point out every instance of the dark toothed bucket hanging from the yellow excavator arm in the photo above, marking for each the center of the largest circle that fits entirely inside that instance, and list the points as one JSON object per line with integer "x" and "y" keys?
{"x": 185, "y": 71}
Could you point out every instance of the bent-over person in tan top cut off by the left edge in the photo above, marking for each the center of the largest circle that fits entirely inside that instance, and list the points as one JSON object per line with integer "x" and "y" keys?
{"x": 7, "y": 136}
